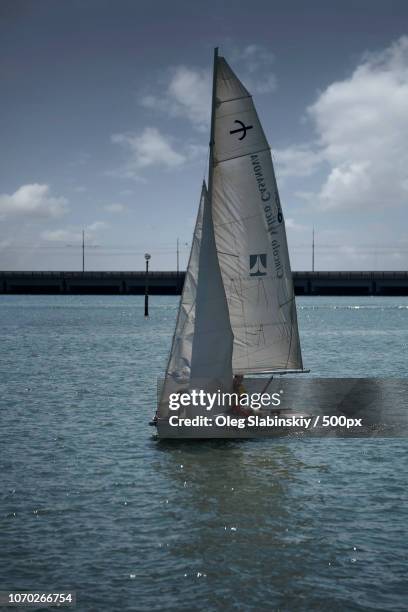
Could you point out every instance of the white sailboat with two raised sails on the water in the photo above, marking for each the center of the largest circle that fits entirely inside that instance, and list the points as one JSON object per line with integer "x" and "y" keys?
{"x": 237, "y": 312}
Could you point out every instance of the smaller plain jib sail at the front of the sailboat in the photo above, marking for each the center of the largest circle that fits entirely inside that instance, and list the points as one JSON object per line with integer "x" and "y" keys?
{"x": 201, "y": 352}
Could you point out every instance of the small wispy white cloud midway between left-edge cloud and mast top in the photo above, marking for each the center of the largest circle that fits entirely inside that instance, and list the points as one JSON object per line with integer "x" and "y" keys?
{"x": 149, "y": 148}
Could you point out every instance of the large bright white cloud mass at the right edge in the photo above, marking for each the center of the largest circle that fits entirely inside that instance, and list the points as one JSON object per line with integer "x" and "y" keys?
{"x": 362, "y": 124}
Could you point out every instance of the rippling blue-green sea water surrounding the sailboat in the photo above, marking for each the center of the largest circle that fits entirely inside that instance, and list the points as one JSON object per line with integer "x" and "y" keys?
{"x": 90, "y": 502}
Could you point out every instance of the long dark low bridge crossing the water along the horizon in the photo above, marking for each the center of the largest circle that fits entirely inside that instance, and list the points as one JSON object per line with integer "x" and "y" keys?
{"x": 171, "y": 283}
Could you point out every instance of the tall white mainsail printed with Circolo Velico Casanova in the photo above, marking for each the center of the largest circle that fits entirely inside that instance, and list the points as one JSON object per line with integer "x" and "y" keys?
{"x": 250, "y": 235}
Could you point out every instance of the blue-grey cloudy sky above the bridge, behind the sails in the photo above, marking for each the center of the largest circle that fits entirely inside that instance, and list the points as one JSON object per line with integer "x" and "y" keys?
{"x": 104, "y": 126}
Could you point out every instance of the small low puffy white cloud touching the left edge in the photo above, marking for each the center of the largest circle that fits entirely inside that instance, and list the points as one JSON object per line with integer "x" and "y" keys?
{"x": 33, "y": 200}
